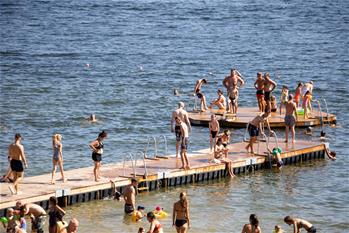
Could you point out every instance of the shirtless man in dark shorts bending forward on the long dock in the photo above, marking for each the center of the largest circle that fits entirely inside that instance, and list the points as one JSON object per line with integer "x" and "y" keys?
{"x": 254, "y": 127}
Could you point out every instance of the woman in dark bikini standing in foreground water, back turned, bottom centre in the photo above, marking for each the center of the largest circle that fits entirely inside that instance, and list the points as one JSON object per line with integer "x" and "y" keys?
{"x": 180, "y": 216}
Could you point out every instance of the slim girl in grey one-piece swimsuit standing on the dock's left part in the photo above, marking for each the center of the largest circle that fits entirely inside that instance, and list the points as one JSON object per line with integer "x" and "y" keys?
{"x": 57, "y": 158}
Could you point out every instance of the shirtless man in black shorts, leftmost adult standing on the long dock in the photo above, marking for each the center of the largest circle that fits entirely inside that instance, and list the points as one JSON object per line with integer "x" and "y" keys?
{"x": 17, "y": 158}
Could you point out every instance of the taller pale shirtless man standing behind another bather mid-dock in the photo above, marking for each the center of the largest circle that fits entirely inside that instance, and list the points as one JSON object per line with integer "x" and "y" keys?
{"x": 183, "y": 115}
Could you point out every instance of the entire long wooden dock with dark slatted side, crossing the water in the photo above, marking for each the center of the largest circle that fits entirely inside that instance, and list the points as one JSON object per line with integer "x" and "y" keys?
{"x": 81, "y": 187}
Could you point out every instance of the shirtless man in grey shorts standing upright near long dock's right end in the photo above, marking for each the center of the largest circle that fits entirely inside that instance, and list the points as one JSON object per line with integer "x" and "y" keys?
{"x": 290, "y": 117}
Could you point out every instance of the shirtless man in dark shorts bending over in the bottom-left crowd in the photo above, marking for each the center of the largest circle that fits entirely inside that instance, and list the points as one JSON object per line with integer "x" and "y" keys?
{"x": 37, "y": 215}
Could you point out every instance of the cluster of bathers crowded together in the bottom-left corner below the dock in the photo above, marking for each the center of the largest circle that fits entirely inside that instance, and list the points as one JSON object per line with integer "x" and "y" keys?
{"x": 15, "y": 221}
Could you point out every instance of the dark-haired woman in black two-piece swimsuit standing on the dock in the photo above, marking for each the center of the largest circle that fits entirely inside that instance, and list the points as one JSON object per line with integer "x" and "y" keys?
{"x": 97, "y": 151}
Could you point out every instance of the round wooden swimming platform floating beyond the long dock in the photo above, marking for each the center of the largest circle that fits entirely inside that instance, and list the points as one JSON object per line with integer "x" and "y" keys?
{"x": 246, "y": 114}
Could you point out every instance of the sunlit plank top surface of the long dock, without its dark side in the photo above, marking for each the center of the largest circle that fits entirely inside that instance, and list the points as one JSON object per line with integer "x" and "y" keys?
{"x": 37, "y": 188}
